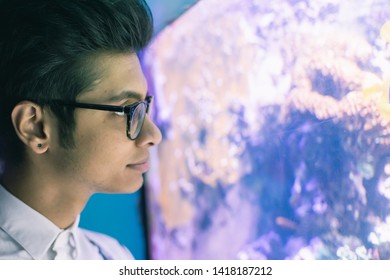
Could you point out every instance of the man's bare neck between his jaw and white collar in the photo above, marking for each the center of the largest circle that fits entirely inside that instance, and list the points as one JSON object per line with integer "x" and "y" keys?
{"x": 55, "y": 199}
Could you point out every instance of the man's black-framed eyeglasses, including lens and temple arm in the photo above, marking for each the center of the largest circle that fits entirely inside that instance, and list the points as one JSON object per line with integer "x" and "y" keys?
{"x": 135, "y": 113}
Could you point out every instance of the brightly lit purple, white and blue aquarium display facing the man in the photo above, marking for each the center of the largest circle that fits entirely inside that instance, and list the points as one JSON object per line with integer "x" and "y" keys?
{"x": 276, "y": 132}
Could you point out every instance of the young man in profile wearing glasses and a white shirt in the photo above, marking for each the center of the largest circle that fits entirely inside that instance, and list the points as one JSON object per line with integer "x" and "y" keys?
{"x": 73, "y": 120}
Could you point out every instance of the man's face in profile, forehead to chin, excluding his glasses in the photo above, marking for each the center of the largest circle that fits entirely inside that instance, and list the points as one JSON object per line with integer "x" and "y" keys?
{"x": 104, "y": 159}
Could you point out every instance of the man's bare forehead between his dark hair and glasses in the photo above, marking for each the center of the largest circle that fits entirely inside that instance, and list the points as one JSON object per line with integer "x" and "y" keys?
{"x": 120, "y": 77}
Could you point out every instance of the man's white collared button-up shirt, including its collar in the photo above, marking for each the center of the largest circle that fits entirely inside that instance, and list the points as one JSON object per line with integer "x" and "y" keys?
{"x": 26, "y": 234}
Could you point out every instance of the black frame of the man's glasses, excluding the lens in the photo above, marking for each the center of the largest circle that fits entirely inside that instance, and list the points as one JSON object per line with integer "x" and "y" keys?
{"x": 127, "y": 110}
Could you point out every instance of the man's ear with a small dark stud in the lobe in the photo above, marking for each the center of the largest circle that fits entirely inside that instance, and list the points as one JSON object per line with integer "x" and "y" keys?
{"x": 28, "y": 121}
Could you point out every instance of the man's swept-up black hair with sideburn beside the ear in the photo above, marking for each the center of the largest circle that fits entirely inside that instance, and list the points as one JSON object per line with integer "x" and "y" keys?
{"x": 46, "y": 51}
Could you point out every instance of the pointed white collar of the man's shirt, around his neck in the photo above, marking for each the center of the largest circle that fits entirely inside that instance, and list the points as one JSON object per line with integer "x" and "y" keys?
{"x": 33, "y": 231}
